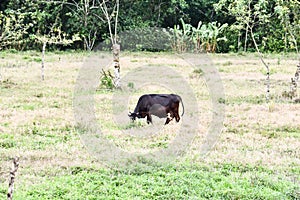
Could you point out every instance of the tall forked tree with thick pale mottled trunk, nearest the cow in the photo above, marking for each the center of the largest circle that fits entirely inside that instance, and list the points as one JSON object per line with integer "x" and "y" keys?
{"x": 88, "y": 10}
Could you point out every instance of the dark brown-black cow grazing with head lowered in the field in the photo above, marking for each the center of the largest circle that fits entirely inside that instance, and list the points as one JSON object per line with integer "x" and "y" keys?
{"x": 160, "y": 105}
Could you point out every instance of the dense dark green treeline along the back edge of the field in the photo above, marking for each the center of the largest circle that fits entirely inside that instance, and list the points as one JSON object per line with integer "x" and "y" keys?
{"x": 180, "y": 25}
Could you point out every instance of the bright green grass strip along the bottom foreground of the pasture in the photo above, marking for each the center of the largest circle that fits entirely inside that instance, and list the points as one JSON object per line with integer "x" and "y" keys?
{"x": 226, "y": 181}
